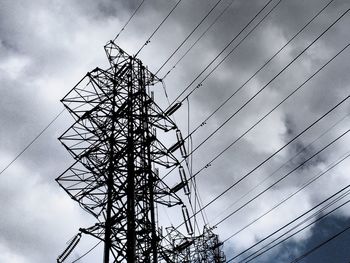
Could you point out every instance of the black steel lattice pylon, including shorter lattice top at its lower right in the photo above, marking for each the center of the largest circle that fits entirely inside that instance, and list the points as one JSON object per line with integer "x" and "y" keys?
{"x": 116, "y": 149}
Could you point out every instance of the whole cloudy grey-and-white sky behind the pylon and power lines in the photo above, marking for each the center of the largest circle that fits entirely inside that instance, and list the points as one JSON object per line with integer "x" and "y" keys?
{"x": 46, "y": 47}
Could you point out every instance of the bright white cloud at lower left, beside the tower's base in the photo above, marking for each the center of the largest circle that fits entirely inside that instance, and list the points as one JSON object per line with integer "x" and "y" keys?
{"x": 39, "y": 216}
